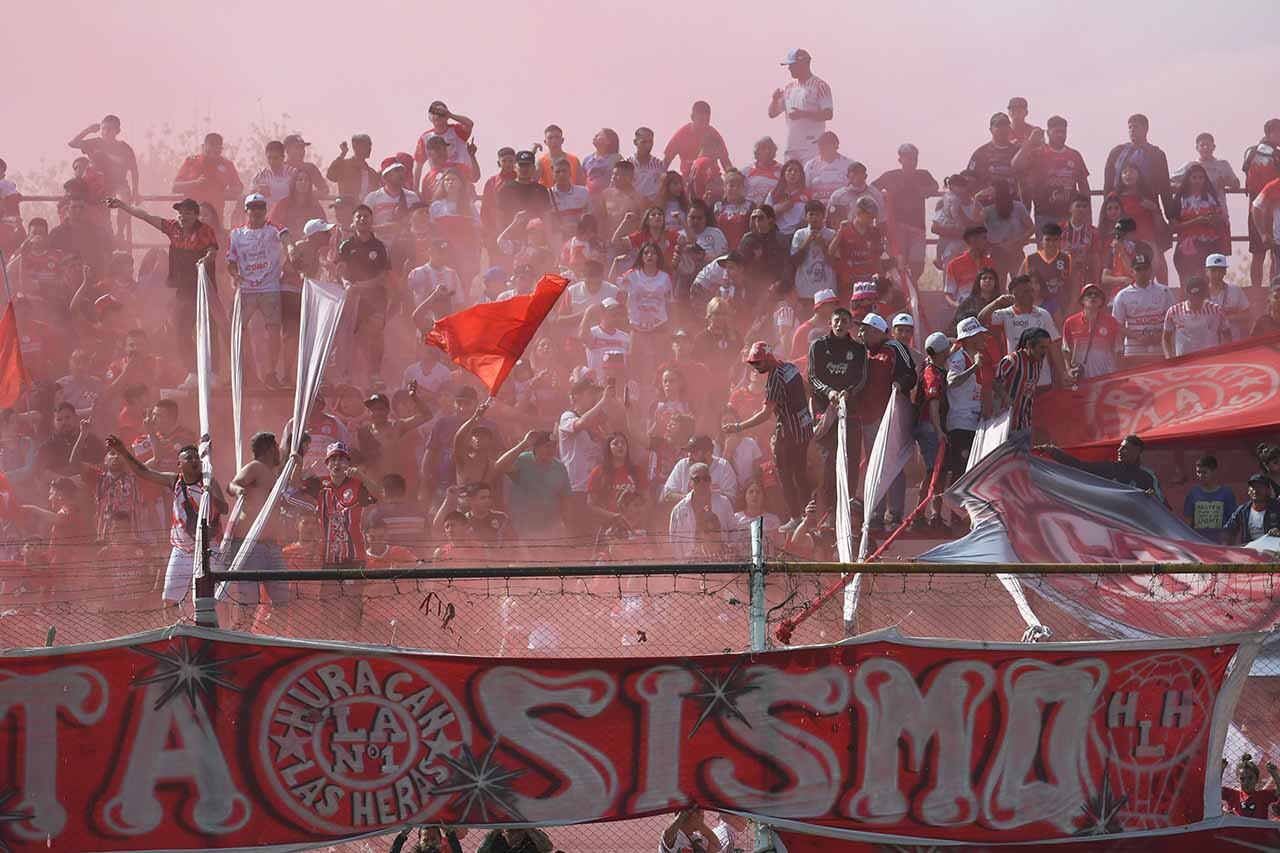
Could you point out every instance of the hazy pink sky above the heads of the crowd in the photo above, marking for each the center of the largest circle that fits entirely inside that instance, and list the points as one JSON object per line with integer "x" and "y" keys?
{"x": 925, "y": 72}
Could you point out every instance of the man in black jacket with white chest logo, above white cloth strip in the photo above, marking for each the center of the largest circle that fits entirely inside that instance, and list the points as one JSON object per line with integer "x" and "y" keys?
{"x": 838, "y": 367}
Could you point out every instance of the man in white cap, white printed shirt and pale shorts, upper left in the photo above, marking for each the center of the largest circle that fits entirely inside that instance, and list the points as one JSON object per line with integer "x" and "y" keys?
{"x": 255, "y": 258}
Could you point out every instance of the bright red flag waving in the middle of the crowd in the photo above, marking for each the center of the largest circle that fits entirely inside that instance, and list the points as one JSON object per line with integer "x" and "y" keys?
{"x": 488, "y": 339}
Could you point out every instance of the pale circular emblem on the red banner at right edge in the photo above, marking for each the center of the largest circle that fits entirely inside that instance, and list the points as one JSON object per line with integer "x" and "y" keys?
{"x": 1150, "y": 402}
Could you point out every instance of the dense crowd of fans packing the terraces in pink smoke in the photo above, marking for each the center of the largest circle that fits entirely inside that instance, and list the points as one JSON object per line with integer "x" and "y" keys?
{"x": 684, "y": 385}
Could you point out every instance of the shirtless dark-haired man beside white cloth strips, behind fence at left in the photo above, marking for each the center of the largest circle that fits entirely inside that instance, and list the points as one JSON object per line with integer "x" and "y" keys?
{"x": 252, "y": 487}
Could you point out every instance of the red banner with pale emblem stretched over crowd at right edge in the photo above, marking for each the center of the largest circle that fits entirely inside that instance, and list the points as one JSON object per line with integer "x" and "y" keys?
{"x": 1228, "y": 391}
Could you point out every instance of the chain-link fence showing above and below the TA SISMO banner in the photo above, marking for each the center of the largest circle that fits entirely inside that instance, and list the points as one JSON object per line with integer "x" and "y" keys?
{"x": 662, "y": 610}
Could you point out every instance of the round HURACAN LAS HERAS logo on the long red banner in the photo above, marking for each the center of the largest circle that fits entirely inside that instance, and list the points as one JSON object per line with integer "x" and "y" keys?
{"x": 354, "y": 743}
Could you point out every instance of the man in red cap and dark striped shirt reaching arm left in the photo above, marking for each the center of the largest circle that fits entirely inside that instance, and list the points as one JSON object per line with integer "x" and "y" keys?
{"x": 787, "y": 396}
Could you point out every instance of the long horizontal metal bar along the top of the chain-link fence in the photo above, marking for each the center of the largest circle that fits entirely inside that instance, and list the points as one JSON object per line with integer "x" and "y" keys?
{"x": 643, "y": 571}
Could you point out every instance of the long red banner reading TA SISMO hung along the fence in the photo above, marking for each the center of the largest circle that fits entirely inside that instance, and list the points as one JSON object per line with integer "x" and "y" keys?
{"x": 199, "y": 740}
